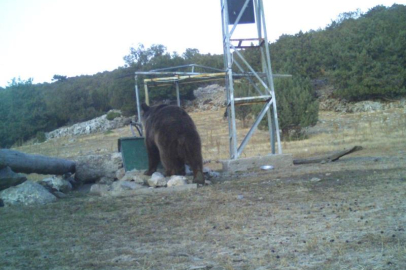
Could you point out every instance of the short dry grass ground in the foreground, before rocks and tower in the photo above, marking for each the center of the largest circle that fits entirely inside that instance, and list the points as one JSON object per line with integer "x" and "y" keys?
{"x": 286, "y": 223}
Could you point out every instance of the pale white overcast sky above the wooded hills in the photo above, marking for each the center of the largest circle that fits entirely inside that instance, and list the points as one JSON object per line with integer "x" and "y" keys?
{"x": 41, "y": 38}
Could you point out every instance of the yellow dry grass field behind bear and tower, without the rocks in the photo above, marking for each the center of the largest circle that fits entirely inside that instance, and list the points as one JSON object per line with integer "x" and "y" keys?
{"x": 376, "y": 132}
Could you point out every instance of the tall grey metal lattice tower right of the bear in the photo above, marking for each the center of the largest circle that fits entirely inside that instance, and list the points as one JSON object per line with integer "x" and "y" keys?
{"x": 233, "y": 14}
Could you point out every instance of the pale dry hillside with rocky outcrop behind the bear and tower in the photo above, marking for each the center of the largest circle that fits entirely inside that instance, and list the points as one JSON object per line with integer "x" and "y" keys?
{"x": 377, "y": 126}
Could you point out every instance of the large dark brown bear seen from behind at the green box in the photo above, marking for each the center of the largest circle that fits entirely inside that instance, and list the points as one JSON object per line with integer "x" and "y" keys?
{"x": 172, "y": 138}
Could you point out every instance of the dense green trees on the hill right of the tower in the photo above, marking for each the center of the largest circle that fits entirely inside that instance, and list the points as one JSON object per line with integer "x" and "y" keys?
{"x": 362, "y": 55}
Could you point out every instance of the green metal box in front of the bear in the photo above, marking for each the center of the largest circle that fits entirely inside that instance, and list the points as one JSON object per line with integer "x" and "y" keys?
{"x": 134, "y": 153}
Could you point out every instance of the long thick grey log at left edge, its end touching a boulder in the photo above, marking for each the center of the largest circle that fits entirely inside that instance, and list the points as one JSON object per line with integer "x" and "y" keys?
{"x": 26, "y": 163}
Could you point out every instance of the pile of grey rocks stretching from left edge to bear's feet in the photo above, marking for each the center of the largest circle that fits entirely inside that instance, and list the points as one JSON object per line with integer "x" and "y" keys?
{"x": 105, "y": 174}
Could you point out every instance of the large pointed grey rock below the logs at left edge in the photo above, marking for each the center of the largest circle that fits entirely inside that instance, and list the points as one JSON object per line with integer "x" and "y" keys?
{"x": 27, "y": 193}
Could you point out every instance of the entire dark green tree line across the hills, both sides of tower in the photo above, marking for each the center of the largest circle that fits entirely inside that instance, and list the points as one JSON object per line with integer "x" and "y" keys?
{"x": 361, "y": 55}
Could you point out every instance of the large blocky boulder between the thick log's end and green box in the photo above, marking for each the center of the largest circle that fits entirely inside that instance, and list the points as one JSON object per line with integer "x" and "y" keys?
{"x": 92, "y": 168}
